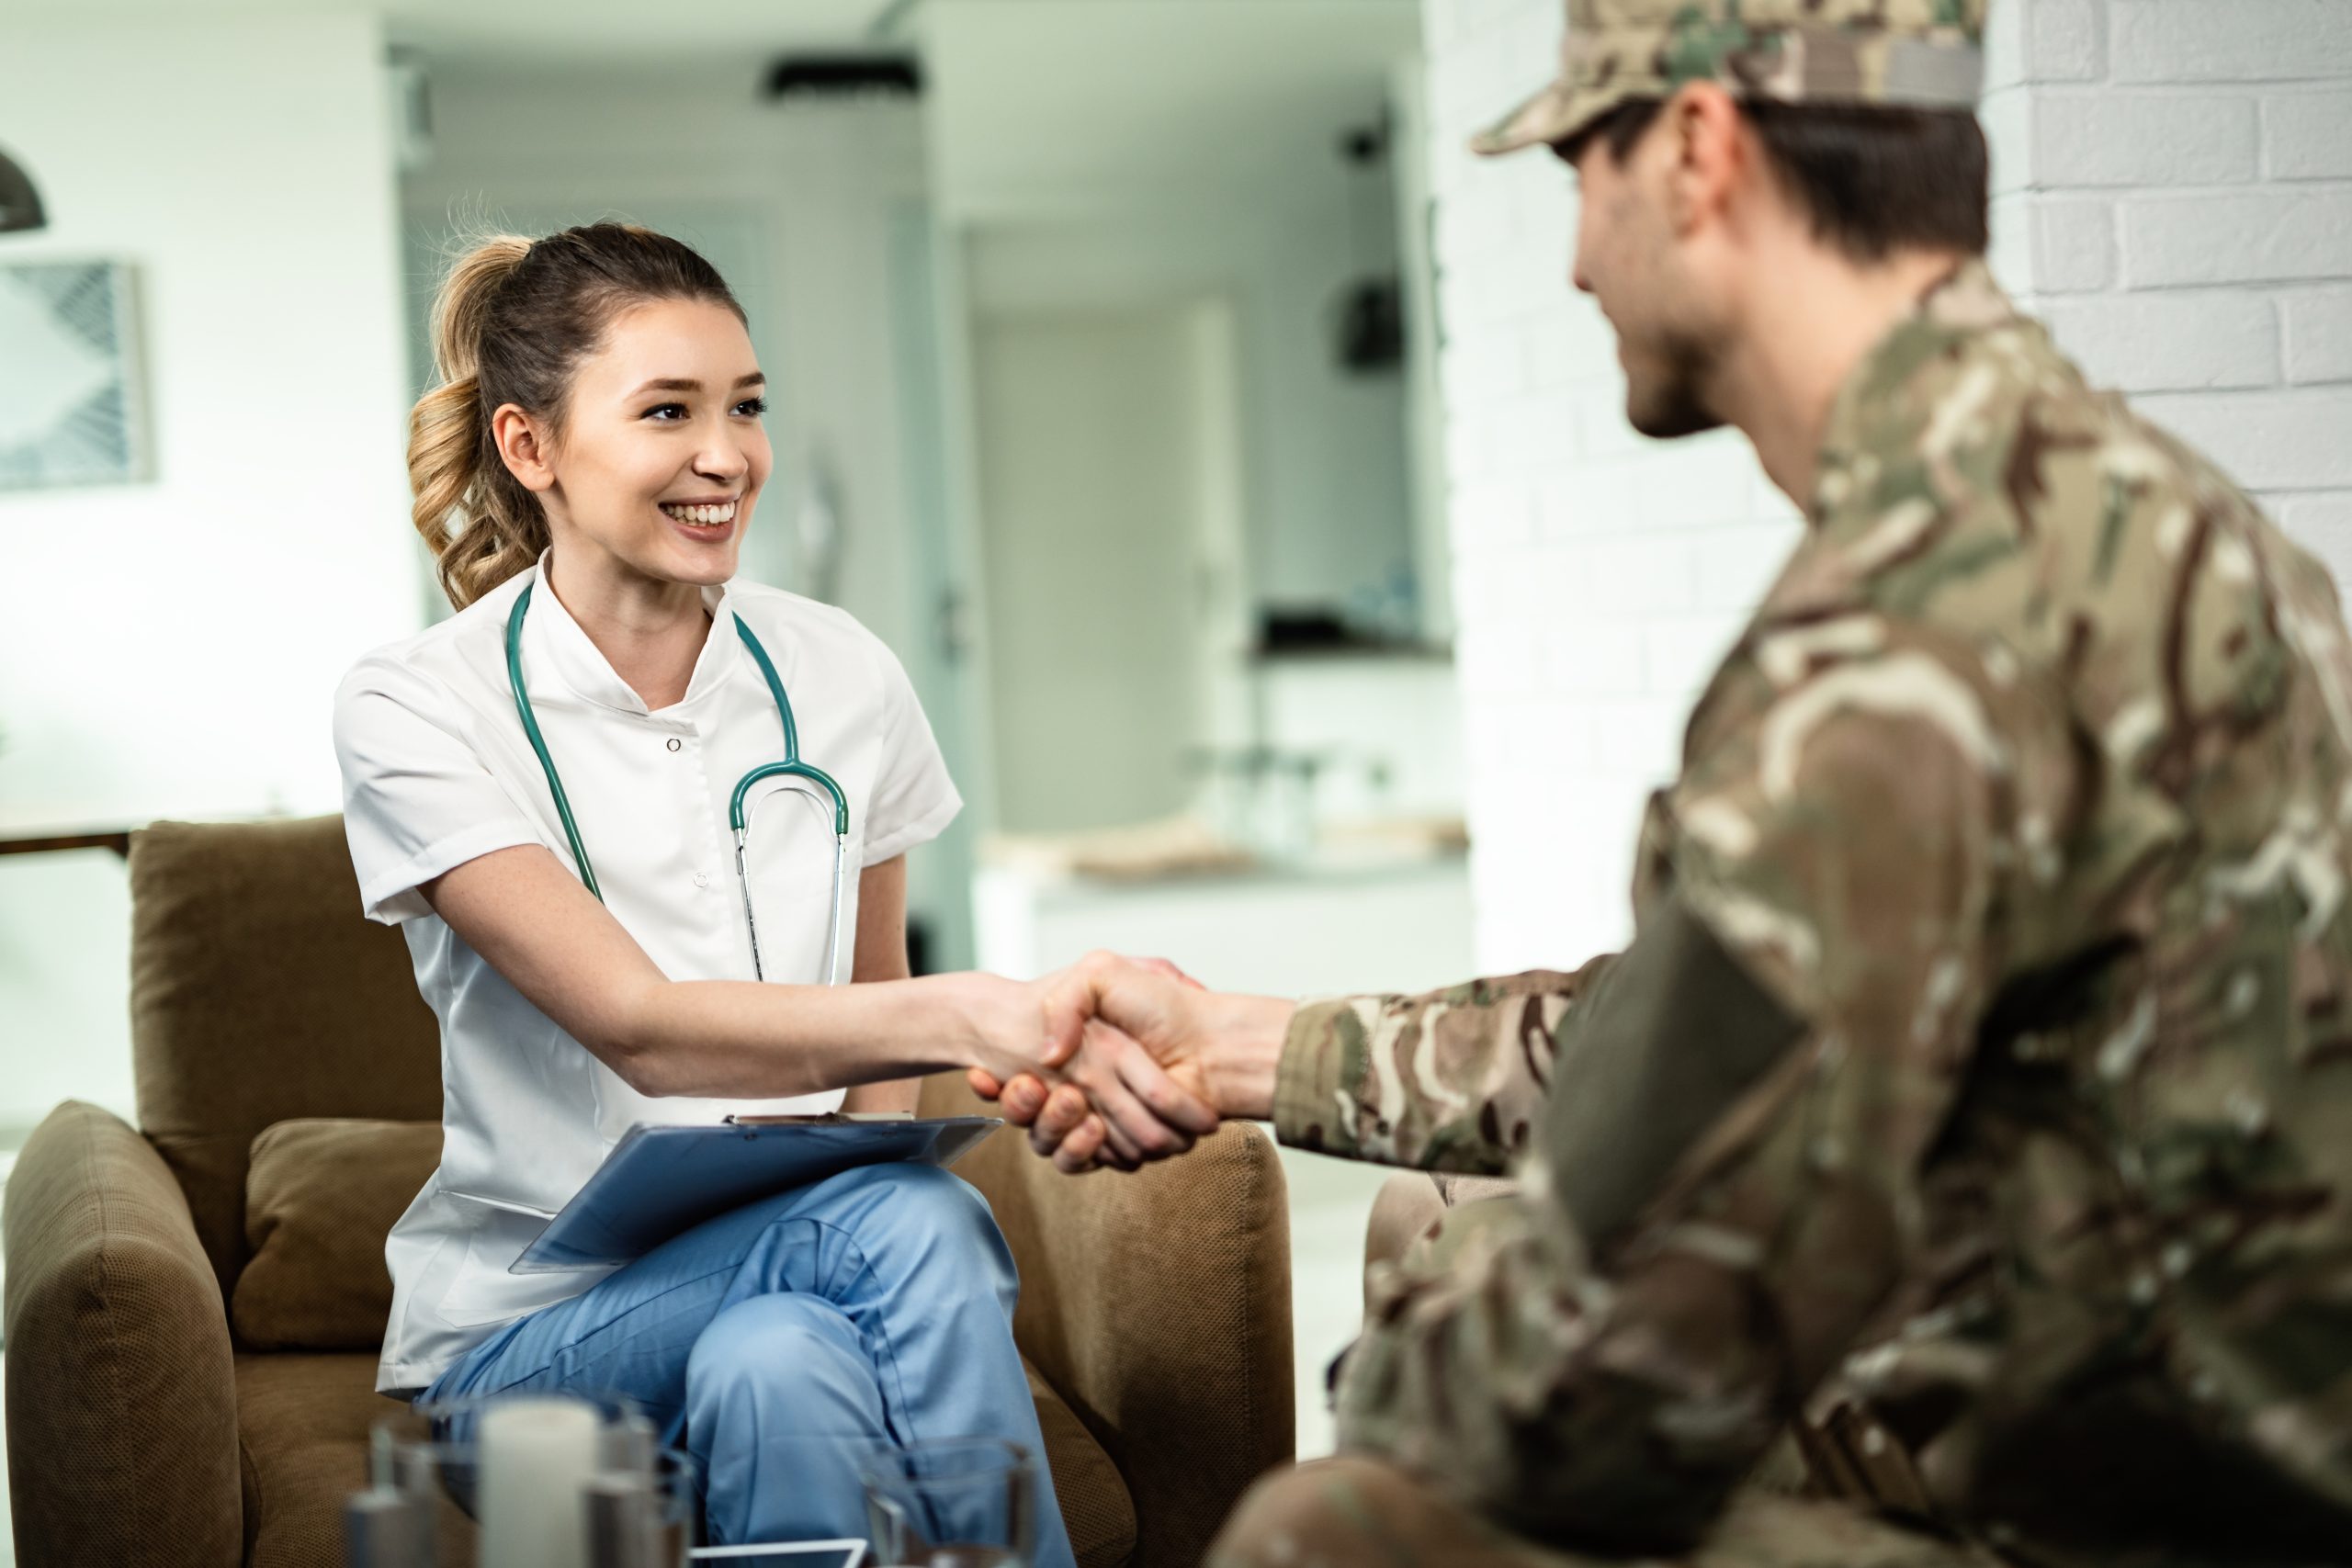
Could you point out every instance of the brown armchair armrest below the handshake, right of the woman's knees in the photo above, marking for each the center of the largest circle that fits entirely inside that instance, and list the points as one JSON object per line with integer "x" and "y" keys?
{"x": 1161, "y": 1308}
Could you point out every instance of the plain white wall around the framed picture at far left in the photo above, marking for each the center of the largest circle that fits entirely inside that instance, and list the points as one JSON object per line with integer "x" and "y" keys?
{"x": 171, "y": 648}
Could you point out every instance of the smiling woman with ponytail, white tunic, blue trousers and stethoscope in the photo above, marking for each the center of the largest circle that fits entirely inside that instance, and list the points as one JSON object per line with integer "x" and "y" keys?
{"x": 587, "y": 471}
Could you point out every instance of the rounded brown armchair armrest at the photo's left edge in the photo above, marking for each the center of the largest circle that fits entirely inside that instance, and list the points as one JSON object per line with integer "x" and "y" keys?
{"x": 121, "y": 1391}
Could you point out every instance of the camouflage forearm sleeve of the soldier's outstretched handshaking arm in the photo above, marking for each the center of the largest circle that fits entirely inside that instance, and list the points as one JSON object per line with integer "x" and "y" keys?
{"x": 1443, "y": 1083}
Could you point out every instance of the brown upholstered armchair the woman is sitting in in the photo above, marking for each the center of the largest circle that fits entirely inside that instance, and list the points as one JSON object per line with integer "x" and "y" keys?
{"x": 145, "y": 1428}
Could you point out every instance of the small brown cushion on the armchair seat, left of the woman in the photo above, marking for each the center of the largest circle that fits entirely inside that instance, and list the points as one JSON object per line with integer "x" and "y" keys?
{"x": 319, "y": 1200}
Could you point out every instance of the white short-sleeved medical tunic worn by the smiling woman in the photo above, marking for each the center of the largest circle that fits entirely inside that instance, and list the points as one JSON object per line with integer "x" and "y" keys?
{"x": 436, "y": 772}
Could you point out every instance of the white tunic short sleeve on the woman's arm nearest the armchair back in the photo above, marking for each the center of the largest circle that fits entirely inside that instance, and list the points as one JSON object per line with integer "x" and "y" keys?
{"x": 417, "y": 800}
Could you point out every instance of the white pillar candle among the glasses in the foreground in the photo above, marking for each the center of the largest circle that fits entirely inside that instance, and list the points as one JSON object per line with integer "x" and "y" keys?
{"x": 537, "y": 1456}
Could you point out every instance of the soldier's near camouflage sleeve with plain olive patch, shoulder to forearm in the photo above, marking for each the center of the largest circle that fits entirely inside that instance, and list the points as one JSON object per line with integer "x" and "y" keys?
{"x": 1728, "y": 1177}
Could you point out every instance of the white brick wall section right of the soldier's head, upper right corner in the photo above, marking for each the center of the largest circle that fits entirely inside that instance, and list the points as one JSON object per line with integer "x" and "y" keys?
{"x": 2189, "y": 180}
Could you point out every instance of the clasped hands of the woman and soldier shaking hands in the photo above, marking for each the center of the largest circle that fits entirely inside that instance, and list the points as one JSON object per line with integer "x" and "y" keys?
{"x": 1137, "y": 1061}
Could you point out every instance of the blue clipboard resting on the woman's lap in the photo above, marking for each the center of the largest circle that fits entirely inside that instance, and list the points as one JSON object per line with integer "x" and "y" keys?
{"x": 662, "y": 1181}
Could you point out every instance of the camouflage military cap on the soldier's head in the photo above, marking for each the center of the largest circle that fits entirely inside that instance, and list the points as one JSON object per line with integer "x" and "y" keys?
{"x": 1895, "y": 53}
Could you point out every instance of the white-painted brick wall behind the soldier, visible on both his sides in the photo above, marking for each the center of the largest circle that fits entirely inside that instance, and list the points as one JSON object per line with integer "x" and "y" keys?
{"x": 2172, "y": 194}
